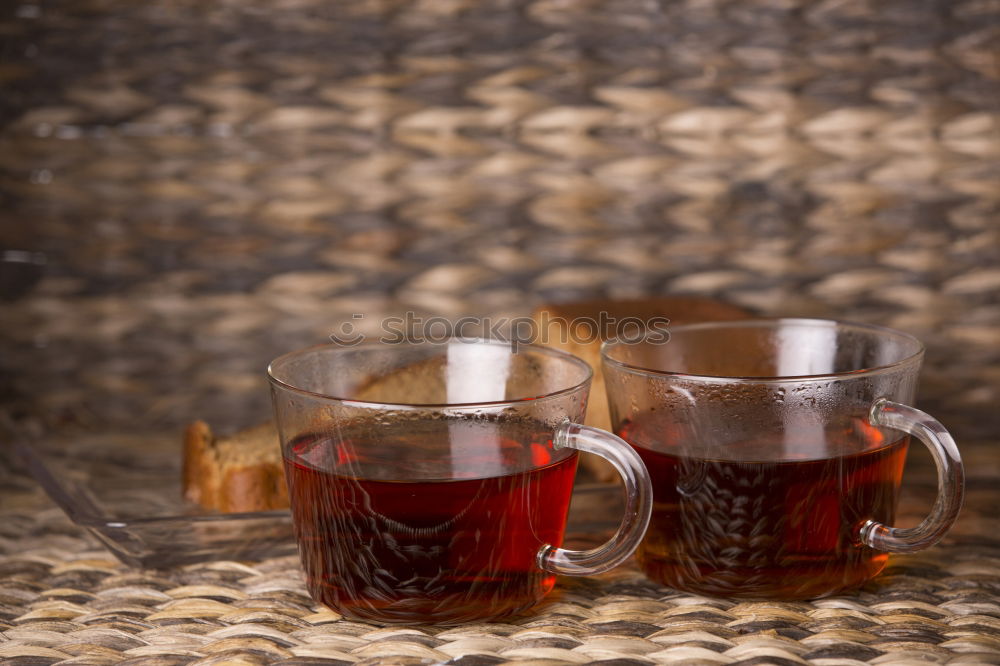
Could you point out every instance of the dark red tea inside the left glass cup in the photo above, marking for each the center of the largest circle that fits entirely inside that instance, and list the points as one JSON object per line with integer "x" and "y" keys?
{"x": 429, "y": 521}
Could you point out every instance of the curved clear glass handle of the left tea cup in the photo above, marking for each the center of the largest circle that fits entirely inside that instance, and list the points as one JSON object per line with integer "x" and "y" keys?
{"x": 638, "y": 504}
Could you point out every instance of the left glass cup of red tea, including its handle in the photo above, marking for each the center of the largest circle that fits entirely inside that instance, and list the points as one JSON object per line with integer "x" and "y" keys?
{"x": 430, "y": 482}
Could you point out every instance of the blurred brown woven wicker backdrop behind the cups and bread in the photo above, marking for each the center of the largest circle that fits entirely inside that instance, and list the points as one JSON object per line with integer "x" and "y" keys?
{"x": 832, "y": 158}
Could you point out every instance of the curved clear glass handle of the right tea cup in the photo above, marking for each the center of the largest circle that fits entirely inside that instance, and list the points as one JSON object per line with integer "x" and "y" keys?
{"x": 951, "y": 480}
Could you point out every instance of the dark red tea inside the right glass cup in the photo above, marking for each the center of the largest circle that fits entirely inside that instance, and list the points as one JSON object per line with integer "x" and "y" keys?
{"x": 745, "y": 519}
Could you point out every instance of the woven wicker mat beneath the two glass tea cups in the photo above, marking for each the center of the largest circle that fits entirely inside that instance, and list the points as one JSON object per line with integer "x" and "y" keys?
{"x": 65, "y": 600}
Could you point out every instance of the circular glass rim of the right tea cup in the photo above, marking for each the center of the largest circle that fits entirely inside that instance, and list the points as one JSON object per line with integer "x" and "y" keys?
{"x": 768, "y": 322}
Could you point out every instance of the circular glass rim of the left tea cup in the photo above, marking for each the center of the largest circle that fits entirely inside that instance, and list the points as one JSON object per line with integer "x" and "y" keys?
{"x": 588, "y": 373}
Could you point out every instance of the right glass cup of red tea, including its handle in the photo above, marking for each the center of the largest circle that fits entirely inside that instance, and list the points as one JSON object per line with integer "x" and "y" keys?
{"x": 776, "y": 450}
